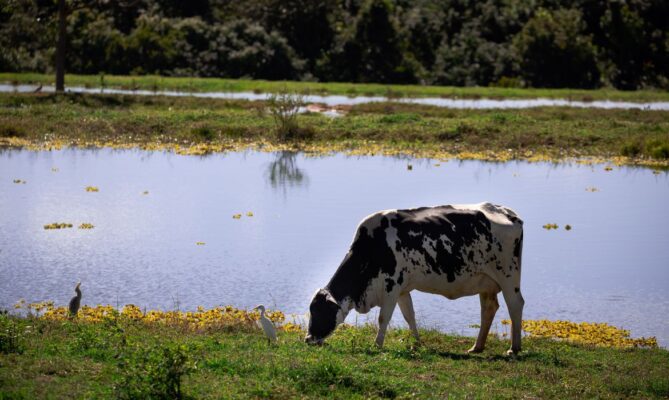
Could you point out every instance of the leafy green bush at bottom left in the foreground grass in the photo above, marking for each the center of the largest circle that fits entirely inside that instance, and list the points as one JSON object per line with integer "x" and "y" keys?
{"x": 154, "y": 373}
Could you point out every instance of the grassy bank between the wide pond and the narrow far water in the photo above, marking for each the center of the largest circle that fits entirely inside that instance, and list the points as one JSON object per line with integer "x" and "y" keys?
{"x": 197, "y": 126}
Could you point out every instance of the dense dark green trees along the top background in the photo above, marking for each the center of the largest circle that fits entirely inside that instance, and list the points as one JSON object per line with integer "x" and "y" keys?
{"x": 539, "y": 43}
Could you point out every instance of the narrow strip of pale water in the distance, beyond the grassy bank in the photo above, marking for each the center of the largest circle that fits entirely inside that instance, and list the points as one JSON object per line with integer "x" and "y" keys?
{"x": 338, "y": 100}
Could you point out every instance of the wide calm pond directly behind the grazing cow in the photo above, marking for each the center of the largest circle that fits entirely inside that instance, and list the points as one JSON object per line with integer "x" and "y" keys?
{"x": 153, "y": 207}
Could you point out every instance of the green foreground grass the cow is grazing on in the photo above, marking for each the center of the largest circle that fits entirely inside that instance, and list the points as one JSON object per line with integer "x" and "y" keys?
{"x": 78, "y": 360}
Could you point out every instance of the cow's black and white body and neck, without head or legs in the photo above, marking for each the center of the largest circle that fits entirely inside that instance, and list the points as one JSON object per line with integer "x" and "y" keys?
{"x": 435, "y": 249}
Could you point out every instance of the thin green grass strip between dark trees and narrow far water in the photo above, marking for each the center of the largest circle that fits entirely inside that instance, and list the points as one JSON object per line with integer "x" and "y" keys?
{"x": 156, "y": 83}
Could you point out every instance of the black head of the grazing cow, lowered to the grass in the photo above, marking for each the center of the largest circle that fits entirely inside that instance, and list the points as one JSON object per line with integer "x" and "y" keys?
{"x": 325, "y": 315}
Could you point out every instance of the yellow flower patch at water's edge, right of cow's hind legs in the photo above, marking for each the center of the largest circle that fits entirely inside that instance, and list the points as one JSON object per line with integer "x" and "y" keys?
{"x": 598, "y": 334}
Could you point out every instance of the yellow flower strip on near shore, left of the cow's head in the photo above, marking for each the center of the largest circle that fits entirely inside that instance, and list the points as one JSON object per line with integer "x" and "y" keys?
{"x": 202, "y": 319}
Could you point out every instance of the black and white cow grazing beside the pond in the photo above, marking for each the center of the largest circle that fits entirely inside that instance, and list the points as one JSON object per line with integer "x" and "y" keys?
{"x": 454, "y": 251}
